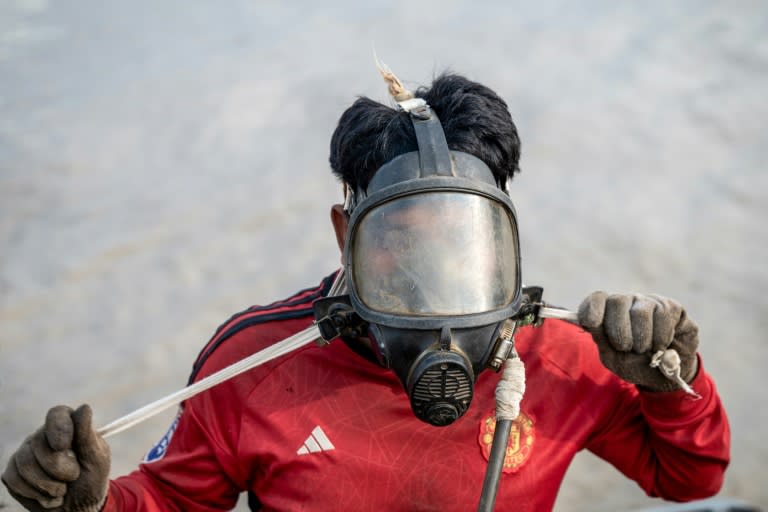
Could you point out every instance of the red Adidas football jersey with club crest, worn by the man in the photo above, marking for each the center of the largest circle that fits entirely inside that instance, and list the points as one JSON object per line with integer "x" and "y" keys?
{"x": 324, "y": 428}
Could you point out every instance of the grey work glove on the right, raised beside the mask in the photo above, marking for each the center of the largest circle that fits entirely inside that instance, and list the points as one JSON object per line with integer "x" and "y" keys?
{"x": 630, "y": 329}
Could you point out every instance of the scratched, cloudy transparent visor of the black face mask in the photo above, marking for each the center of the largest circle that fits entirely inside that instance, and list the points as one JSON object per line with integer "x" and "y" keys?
{"x": 436, "y": 254}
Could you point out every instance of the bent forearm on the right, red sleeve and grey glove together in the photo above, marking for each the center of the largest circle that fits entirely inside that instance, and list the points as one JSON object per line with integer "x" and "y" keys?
{"x": 674, "y": 445}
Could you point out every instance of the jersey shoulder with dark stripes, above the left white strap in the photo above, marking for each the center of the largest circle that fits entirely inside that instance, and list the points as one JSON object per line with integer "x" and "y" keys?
{"x": 256, "y": 328}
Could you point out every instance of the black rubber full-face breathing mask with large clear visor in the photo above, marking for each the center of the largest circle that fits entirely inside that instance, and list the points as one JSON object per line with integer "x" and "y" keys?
{"x": 432, "y": 266}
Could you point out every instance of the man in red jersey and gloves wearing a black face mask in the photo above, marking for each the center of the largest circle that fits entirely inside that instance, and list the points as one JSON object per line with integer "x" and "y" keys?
{"x": 330, "y": 428}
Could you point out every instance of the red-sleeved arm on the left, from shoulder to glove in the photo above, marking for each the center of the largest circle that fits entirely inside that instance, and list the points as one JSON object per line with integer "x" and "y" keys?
{"x": 199, "y": 468}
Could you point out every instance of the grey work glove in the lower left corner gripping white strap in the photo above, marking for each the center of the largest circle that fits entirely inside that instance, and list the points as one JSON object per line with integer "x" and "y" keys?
{"x": 63, "y": 466}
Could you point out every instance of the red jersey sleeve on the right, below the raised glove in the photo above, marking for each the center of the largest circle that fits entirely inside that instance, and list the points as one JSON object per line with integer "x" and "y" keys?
{"x": 675, "y": 446}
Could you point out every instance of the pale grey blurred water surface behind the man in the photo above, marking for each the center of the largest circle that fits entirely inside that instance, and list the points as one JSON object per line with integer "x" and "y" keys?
{"x": 164, "y": 165}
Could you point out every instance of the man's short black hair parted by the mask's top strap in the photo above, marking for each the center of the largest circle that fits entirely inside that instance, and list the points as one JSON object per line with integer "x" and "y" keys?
{"x": 474, "y": 118}
